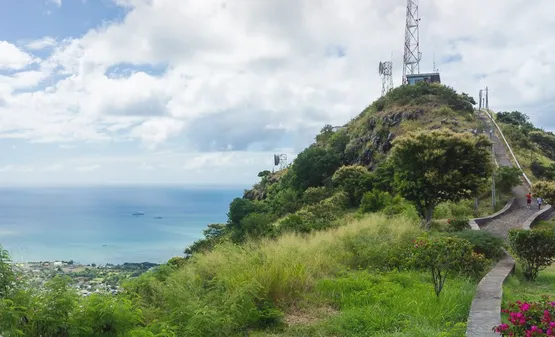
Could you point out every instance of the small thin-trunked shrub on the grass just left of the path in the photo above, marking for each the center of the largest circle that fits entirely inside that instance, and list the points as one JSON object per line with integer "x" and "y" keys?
{"x": 443, "y": 256}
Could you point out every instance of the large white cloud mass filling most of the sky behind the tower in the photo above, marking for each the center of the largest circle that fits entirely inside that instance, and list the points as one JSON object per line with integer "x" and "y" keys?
{"x": 250, "y": 75}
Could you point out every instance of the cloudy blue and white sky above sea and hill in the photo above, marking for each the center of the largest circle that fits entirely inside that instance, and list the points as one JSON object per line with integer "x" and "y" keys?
{"x": 205, "y": 92}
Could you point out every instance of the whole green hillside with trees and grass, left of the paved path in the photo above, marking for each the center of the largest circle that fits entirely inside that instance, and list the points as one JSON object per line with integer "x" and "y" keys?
{"x": 333, "y": 245}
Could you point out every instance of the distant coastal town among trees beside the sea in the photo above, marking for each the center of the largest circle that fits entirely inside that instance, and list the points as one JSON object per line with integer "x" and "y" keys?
{"x": 87, "y": 279}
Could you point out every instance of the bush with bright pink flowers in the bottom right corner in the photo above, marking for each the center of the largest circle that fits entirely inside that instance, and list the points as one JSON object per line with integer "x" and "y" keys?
{"x": 529, "y": 319}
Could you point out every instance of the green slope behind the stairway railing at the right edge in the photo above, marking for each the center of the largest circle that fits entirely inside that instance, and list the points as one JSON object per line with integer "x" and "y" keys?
{"x": 533, "y": 146}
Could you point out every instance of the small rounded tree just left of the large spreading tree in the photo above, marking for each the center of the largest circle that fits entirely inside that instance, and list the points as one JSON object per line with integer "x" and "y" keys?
{"x": 354, "y": 180}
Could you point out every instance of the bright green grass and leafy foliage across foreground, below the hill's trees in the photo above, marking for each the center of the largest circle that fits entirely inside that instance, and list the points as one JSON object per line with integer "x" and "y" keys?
{"x": 255, "y": 286}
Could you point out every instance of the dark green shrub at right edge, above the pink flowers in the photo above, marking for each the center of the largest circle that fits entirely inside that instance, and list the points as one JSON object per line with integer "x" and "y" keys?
{"x": 535, "y": 250}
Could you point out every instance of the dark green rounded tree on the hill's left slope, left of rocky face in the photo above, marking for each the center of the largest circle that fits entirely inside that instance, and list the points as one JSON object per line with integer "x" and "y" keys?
{"x": 313, "y": 167}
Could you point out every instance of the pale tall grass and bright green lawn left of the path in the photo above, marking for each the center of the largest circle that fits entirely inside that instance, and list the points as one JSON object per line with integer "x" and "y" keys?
{"x": 326, "y": 284}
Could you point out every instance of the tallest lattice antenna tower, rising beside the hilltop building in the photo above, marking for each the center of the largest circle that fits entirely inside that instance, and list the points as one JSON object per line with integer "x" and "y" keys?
{"x": 411, "y": 55}
